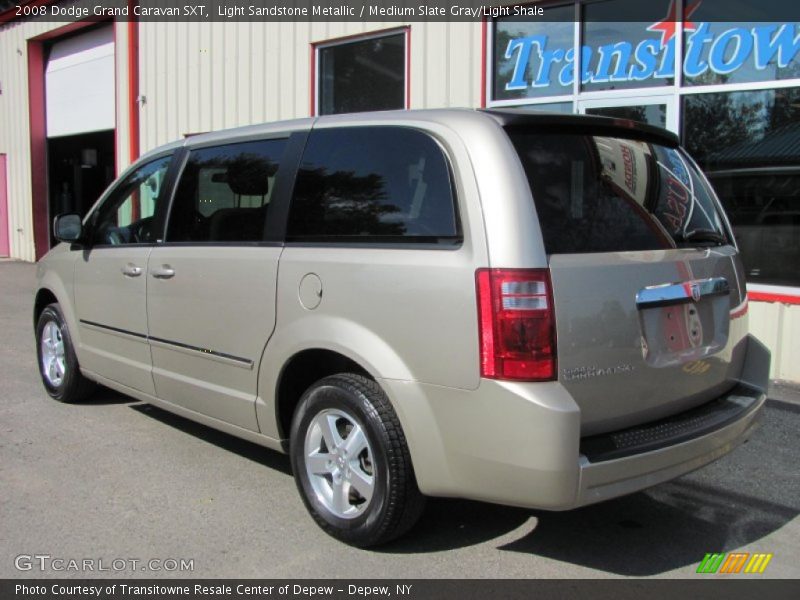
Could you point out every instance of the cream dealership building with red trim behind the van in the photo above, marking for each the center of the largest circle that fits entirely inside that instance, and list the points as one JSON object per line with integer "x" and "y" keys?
{"x": 81, "y": 99}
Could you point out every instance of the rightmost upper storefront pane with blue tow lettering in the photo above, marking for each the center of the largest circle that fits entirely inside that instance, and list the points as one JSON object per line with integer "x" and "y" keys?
{"x": 741, "y": 50}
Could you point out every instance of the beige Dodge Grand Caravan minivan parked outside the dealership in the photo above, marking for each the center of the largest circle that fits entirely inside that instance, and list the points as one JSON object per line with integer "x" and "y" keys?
{"x": 536, "y": 310}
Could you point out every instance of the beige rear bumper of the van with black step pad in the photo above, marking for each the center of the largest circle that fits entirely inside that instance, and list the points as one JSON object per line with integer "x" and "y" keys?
{"x": 520, "y": 445}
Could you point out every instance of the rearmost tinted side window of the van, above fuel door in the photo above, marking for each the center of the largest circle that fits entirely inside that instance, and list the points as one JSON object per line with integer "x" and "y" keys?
{"x": 373, "y": 184}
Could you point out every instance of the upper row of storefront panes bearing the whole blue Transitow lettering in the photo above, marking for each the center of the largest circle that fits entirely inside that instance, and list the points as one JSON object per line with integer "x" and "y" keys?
{"x": 536, "y": 59}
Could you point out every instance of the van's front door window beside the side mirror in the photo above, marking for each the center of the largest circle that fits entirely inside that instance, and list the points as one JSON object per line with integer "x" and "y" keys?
{"x": 126, "y": 216}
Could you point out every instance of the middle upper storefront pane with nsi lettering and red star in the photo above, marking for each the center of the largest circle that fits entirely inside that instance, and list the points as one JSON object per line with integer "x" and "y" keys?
{"x": 631, "y": 54}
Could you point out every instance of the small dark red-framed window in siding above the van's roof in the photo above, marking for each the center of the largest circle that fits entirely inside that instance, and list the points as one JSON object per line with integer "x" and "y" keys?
{"x": 363, "y": 75}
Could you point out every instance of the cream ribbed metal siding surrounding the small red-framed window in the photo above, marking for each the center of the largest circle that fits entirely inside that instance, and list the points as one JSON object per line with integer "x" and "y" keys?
{"x": 200, "y": 77}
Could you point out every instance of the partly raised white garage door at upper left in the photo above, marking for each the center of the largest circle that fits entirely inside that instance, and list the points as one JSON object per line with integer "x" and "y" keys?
{"x": 80, "y": 84}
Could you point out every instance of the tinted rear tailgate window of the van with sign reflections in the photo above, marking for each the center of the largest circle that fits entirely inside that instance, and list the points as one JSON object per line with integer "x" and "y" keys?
{"x": 607, "y": 194}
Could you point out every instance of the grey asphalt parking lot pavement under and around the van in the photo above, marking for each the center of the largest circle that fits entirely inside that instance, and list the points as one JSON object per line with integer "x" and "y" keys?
{"x": 119, "y": 479}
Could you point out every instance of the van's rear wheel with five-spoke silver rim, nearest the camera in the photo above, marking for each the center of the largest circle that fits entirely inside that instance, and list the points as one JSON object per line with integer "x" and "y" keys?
{"x": 369, "y": 466}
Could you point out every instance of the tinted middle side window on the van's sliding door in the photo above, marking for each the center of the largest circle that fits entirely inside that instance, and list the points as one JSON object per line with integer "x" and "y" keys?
{"x": 224, "y": 193}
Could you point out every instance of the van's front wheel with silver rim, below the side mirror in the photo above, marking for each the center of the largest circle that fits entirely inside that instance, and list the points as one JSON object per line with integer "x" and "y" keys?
{"x": 58, "y": 365}
